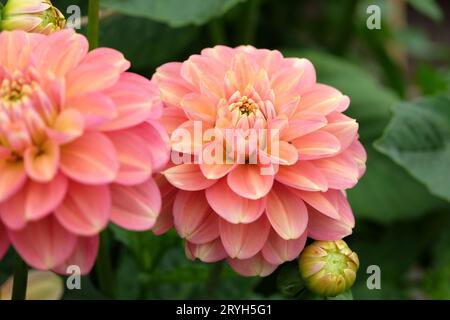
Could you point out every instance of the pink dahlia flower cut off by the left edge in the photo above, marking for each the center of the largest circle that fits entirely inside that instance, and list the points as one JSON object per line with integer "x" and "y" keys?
{"x": 75, "y": 151}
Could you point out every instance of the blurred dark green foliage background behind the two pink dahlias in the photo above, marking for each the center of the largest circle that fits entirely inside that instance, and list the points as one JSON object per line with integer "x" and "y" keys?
{"x": 398, "y": 80}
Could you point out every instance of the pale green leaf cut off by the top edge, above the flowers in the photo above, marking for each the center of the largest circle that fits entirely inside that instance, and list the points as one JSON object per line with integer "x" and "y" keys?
{"x": 176, "y": 13}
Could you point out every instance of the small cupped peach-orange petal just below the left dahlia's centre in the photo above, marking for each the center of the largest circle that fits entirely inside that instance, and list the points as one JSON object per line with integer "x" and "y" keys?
{"x": 42, "y": 164}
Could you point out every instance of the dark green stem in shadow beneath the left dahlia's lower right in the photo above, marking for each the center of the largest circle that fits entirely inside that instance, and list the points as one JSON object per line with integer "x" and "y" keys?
{"x": 104, "y": 269}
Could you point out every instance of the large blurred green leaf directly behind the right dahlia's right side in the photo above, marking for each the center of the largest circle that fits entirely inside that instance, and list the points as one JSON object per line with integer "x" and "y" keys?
{"x": 386, "y": 192}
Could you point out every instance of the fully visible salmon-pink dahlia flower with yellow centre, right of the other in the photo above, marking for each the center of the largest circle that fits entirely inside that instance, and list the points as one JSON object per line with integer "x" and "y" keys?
{"x": 262, "y": 195}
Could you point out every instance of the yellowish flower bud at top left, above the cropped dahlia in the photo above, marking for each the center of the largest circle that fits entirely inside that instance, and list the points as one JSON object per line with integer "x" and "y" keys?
{"x": 38, "y": 16}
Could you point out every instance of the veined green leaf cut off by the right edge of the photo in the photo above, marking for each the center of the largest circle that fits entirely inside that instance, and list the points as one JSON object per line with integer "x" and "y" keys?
{"x": 418, "y": 139}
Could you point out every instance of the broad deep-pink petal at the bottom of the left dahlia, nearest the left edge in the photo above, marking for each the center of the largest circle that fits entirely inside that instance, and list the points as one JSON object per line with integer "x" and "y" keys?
{"x": 43, "y": 244}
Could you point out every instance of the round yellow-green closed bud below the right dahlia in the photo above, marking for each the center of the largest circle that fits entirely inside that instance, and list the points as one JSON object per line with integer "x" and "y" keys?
{"x": 328, "y": 267}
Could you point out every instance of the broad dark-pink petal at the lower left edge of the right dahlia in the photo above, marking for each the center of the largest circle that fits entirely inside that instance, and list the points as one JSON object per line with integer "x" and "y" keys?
{"x": 193, "y": 218}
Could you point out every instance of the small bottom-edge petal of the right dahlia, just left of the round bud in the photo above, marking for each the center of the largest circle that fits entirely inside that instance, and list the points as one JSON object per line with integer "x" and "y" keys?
{"x": 278, "y": 250}
